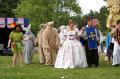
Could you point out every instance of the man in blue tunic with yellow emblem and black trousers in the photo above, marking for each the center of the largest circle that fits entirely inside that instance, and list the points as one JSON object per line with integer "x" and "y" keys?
{"x": 91, "y": 39}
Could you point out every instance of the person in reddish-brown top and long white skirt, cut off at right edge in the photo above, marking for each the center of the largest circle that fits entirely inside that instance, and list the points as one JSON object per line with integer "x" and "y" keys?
{"x": 116, "y": 50}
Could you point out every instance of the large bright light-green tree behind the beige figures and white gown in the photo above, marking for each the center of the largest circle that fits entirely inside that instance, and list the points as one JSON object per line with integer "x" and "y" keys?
{"x": 41, "y": 11}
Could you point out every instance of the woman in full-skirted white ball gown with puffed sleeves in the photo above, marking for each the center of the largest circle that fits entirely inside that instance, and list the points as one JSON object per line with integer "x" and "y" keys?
{"x": 71, "y": 54}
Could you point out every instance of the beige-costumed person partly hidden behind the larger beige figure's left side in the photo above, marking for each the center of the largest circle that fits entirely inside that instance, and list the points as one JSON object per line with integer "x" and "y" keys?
{"x": 39, "y": 40}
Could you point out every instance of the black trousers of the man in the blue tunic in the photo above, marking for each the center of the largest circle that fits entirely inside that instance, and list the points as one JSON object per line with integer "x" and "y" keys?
{"x": 91, "y": 55}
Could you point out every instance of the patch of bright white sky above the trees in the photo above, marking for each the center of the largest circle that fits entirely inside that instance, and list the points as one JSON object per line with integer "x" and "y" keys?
{"x": 88, "y": 5}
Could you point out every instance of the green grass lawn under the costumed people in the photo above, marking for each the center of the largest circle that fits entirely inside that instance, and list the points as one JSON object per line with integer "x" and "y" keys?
{"x": 39, "y": 71}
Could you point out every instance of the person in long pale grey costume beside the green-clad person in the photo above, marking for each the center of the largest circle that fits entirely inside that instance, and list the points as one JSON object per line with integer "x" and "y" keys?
{"x": 29, "y": 45}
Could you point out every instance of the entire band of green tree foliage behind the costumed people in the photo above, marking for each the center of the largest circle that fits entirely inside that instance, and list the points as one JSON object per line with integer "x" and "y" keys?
{"x": 60, "y": 11}
